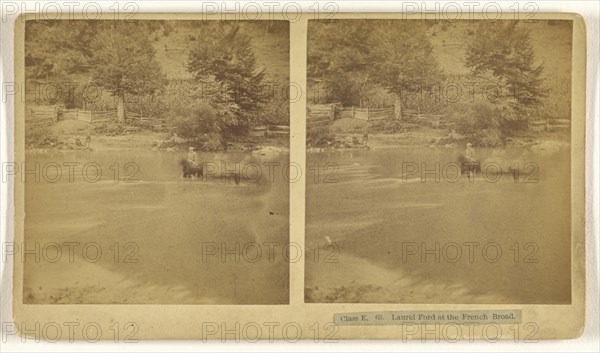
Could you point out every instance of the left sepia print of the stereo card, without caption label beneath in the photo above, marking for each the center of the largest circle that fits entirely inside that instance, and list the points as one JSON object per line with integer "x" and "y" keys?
{"x": 156, "y": 162}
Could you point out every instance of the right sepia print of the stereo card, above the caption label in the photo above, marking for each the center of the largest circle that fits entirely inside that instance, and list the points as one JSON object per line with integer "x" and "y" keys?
{"x": 438, "y": 161}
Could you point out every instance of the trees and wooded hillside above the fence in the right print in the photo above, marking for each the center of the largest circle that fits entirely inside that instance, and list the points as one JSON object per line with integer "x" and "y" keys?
{"x": 487, "y": 78}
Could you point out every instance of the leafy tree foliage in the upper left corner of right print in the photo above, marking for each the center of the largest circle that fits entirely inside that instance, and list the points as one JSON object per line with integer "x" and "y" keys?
{"x": 351, "y": 59}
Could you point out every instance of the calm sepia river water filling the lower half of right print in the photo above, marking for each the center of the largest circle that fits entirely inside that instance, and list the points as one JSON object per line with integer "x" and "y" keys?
{"x": 403, "y": 236}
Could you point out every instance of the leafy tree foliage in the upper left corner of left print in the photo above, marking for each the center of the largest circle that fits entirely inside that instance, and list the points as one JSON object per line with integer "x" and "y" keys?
{"x": 113, "y": 55}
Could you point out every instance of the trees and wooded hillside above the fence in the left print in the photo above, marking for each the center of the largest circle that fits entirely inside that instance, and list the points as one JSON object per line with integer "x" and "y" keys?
{"x": 133, "y": 66}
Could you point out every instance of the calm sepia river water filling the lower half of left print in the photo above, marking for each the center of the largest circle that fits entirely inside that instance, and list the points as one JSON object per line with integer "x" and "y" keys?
{"x": 164, "y": 239}
